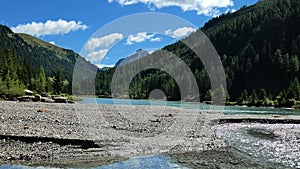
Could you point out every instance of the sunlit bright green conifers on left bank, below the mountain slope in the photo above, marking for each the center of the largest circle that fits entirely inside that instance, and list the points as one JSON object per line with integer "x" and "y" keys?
{"x": 17, "y": 75}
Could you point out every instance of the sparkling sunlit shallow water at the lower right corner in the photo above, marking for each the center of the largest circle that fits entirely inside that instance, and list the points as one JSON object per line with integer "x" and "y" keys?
{"x": 265, "y": 142}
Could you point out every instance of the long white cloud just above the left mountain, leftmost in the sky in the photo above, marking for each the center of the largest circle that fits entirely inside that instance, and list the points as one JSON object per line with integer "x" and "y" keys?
{"x": 49, "y": 27}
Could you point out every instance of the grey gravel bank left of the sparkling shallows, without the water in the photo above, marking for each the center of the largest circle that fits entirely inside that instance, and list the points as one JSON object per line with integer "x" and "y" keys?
{"x": 72, "y": 134}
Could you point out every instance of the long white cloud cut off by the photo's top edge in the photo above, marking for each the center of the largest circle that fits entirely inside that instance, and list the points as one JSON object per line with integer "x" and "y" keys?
{"x": 206, "y": 7}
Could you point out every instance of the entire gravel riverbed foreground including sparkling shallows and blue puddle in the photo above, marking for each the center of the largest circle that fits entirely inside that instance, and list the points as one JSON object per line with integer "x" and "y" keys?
{"x": 99, "y": 136}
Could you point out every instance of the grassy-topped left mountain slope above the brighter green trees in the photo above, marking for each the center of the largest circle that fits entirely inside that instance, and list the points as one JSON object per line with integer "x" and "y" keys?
{"x": 39, "y": 53}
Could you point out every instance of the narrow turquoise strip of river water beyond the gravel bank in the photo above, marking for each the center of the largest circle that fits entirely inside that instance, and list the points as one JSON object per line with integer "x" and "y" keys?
{"x": 190, "y": 105}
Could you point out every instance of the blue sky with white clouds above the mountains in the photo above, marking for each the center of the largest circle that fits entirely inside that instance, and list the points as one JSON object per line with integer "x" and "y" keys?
{"x": 104, "y": 31}
